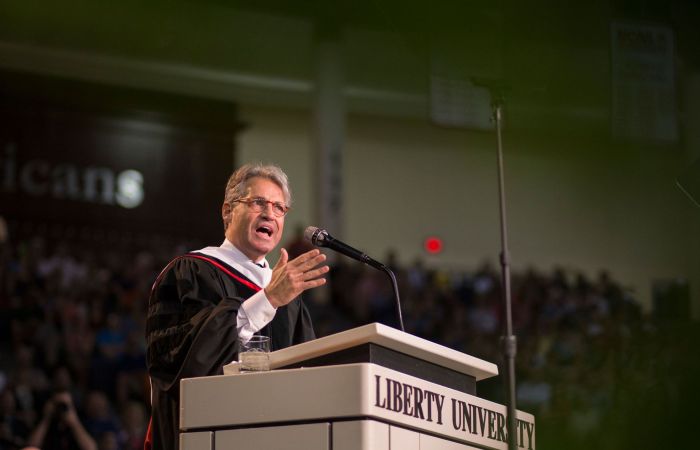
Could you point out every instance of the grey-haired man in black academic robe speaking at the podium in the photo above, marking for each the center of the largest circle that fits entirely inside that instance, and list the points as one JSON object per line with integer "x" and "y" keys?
{"x": 204, "y": 304}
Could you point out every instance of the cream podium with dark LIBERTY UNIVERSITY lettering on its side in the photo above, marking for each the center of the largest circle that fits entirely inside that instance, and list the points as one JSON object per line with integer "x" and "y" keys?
{"x": 368, "y": 388}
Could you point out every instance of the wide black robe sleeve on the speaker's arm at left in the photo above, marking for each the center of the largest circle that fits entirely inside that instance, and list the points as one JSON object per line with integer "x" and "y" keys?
{"x": 191, "y": 326}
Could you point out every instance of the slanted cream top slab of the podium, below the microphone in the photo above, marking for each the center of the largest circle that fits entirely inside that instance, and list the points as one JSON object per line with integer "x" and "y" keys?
{"x": 379, "y": 334}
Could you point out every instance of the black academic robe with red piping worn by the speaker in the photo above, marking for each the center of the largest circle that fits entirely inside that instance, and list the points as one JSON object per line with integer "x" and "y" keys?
{"x": 191, "y": 331}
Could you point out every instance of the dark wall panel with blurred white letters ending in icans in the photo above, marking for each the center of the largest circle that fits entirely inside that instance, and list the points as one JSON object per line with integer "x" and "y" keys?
{"x": 116, "y": 169}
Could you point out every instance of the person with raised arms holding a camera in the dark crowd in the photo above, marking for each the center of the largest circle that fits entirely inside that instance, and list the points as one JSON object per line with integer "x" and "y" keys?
{"x": 60, "y": 427}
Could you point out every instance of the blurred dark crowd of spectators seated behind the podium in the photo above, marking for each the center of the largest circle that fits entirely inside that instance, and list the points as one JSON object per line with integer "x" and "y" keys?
{"x": 72, "y": 368}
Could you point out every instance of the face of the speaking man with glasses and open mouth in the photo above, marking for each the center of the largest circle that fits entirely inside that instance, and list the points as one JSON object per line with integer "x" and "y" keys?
{"x": 255, "y": 233}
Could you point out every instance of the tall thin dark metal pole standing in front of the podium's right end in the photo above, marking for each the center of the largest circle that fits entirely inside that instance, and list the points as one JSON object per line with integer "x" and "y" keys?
{"x": 508, "y": 341}
